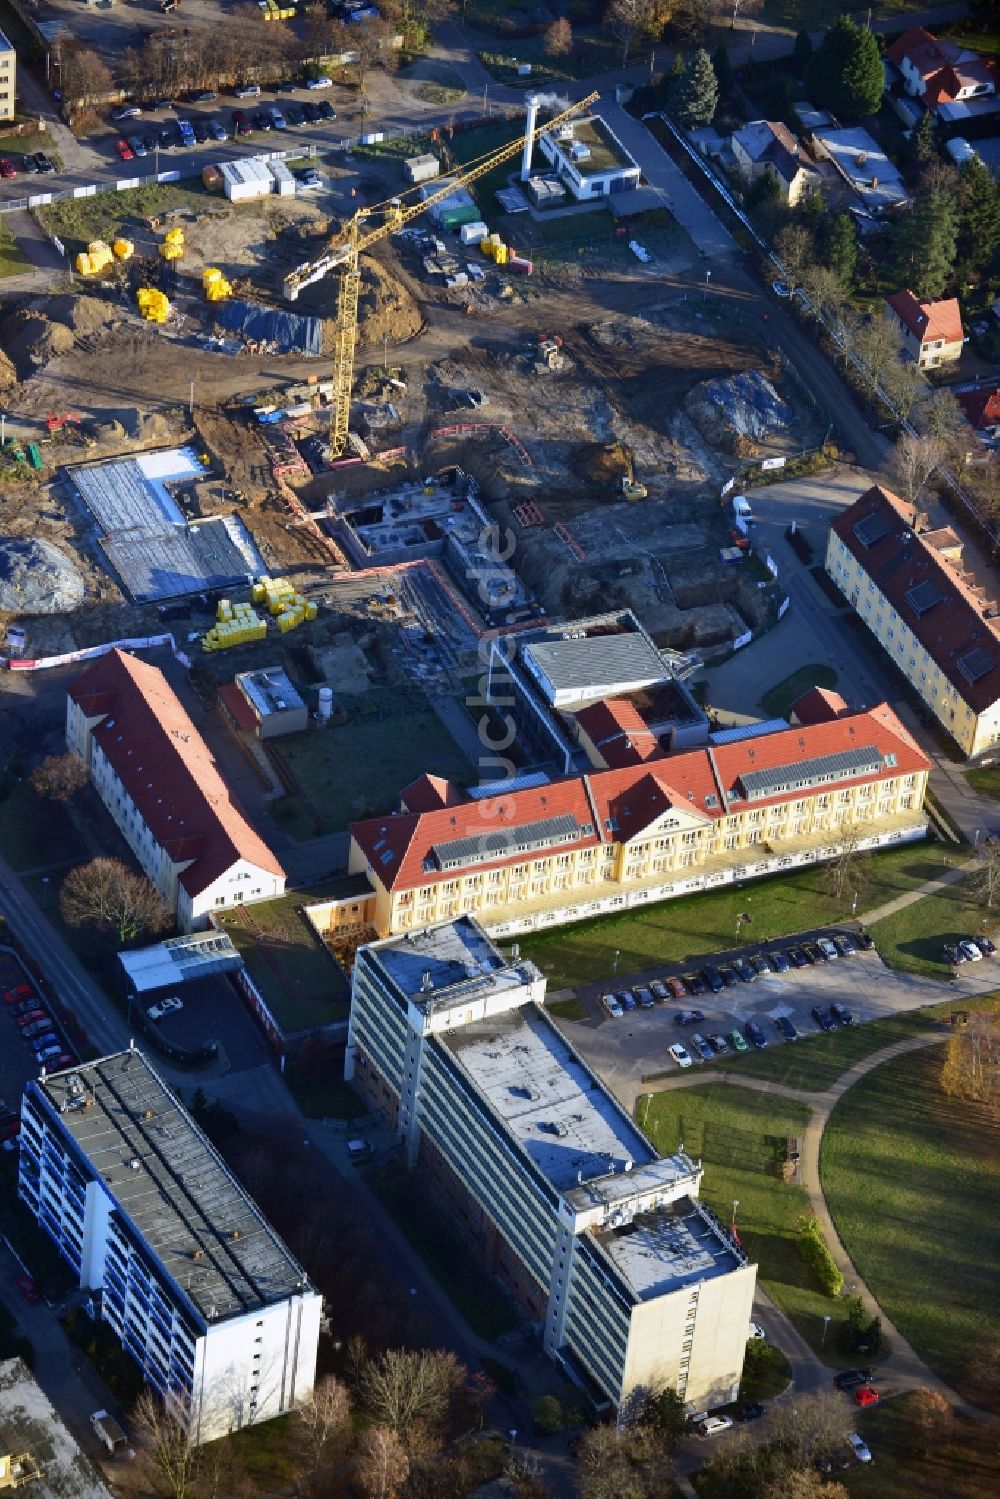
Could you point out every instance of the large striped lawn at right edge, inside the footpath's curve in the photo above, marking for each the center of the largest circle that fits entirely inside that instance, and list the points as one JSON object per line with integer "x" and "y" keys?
{"x": 912, "y": 1182}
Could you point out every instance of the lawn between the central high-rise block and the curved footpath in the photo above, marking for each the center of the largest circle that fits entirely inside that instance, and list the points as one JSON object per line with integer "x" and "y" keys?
{"x": 741, "y": 1135}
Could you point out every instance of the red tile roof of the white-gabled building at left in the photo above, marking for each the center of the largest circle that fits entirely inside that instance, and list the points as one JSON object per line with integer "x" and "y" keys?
{"x": 167, "y": 770}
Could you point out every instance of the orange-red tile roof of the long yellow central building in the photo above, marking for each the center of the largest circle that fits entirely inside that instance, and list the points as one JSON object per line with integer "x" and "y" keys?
{"x": 400, "y": 851}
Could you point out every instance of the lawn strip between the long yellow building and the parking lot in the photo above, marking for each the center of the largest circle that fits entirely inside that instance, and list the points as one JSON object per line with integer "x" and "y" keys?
{"x": 693, "y": 926}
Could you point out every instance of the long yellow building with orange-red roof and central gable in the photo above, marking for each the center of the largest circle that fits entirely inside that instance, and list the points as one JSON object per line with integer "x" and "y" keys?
{"x": 539, "y": 855}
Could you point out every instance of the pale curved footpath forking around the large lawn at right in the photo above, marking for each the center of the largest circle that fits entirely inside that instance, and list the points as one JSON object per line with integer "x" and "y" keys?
{"x": 903, "y": 1366}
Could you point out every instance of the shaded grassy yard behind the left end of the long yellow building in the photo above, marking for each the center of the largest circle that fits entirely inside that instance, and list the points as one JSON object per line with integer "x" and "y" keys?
{"x": 358, "y": 770}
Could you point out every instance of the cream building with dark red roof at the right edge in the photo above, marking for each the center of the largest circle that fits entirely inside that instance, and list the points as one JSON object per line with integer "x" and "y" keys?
{"x": 938, "y": 627}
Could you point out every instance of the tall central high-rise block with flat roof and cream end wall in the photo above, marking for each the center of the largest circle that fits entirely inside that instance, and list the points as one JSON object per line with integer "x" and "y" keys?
{"x": 635, "y": 1282}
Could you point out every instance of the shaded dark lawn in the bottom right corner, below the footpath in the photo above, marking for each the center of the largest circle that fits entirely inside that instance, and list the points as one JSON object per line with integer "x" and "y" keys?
{"x": 960, "y": 1465}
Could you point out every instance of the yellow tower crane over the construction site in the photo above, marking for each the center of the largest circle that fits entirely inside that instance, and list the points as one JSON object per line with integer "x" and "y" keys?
{"x": 356, "y": 236}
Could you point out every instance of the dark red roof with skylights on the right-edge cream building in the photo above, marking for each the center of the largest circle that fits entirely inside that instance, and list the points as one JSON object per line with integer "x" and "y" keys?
{"x": 897, "y": 563}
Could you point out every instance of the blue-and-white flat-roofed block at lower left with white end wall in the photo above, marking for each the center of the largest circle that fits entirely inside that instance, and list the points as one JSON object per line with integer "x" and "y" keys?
{"x": 181, "y": 1263}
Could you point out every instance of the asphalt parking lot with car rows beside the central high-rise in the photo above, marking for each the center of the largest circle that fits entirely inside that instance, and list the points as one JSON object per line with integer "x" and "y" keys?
{"x": 626, "y": 1050}
